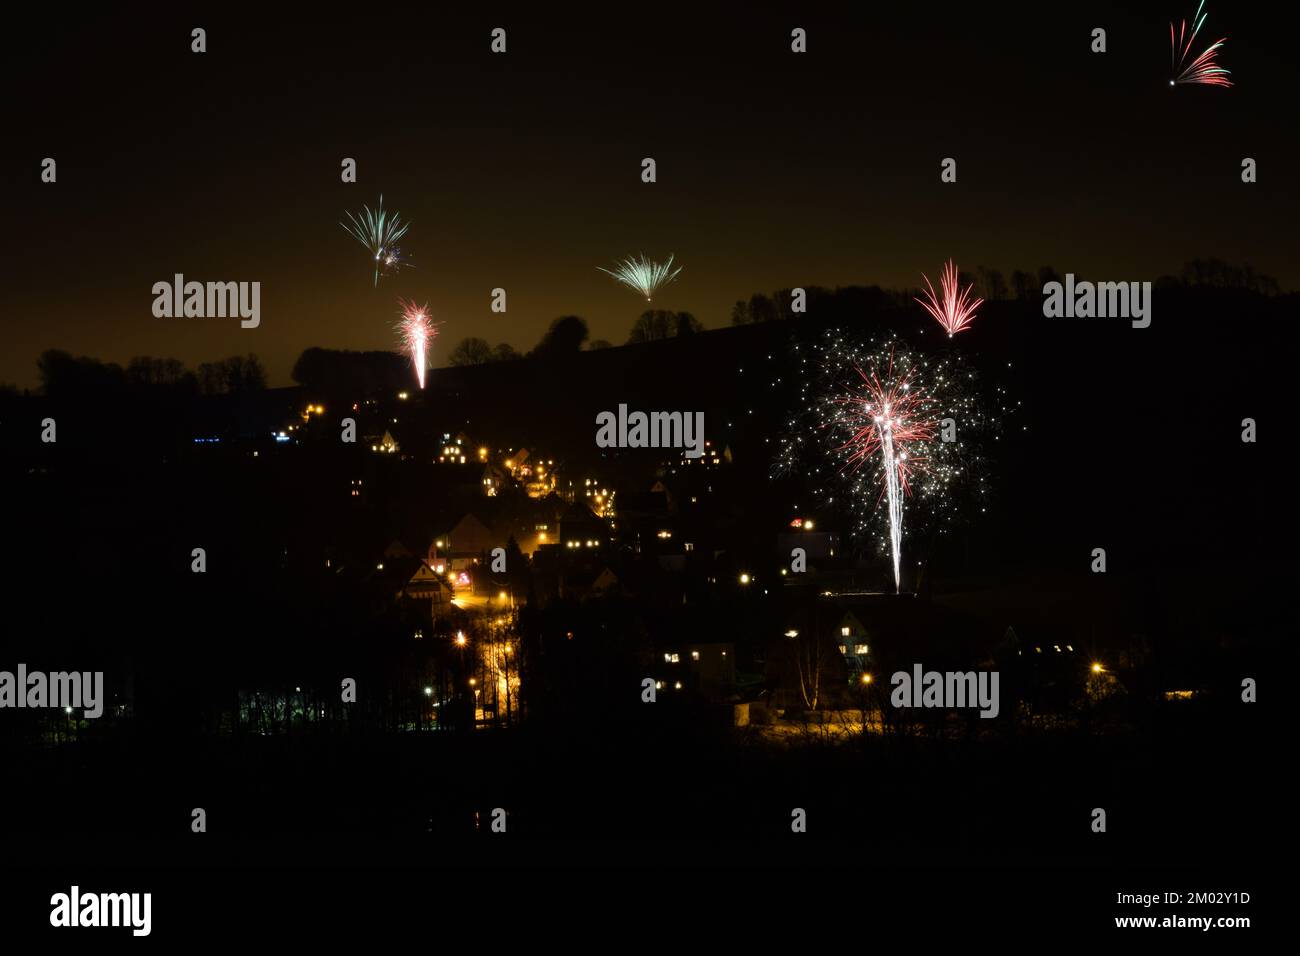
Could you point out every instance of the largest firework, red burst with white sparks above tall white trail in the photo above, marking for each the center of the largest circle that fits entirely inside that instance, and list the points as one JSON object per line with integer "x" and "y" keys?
{"x": 882, "y": 429}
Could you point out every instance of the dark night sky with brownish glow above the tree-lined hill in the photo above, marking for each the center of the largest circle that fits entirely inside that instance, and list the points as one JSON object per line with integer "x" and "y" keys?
{"x": 523, "y": 171}
